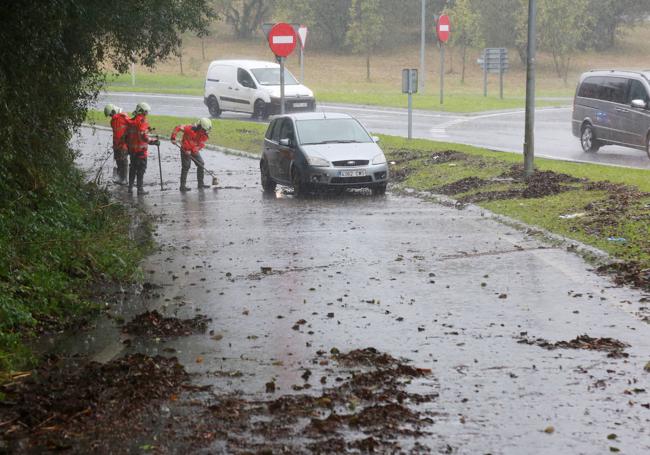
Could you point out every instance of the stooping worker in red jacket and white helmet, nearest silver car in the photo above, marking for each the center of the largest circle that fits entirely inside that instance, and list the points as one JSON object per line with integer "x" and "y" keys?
{"x": 194, "y": 139}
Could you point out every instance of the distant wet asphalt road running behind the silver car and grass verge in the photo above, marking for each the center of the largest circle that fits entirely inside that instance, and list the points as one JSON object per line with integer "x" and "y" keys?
{"x": 503, "y": 130}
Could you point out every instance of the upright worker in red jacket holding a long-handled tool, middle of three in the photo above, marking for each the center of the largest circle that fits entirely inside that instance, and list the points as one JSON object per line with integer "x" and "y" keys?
{"x": 138, "y": 141}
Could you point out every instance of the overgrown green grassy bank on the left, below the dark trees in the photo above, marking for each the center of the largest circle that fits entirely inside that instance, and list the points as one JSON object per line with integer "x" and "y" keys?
{"x": 57, "y": 250}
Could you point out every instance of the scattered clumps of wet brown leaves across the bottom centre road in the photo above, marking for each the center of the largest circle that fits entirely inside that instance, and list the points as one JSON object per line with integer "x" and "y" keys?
{"x": 371, "y": 407}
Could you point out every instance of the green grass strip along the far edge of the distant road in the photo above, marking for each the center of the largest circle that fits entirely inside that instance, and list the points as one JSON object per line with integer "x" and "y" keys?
{"x": 461, "y": 99}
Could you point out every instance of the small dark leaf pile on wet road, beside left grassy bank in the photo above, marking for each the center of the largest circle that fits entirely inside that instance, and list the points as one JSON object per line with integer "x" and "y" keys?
{"x": 154, "y": 324}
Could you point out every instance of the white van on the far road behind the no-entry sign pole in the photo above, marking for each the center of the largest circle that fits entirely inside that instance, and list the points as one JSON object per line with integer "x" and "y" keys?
{"x": 253, "y": 86}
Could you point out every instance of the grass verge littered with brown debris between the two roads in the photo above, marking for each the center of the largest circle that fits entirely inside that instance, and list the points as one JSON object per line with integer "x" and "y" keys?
{"x": 603, "y": 206}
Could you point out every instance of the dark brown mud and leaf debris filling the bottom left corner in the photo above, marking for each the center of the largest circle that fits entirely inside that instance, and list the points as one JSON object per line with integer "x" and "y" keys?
{"x": 65, "y": 404}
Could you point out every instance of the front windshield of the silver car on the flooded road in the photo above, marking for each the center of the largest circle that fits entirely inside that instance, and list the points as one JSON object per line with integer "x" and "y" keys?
{"x": 326, "y": 131}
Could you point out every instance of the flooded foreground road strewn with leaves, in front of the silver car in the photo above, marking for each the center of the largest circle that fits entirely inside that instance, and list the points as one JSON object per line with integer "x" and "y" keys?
{"x": 435, "y": 274}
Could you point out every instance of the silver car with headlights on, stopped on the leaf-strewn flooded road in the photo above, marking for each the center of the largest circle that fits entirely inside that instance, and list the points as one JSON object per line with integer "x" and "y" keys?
{"x": 311, "y": 151}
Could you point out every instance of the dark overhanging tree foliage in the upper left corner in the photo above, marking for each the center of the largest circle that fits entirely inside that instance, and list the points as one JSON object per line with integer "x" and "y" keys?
{"x": 52, "y": 56}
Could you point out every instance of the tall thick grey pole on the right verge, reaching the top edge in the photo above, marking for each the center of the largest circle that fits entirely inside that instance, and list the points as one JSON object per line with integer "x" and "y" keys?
{"x": 529, "y": 136}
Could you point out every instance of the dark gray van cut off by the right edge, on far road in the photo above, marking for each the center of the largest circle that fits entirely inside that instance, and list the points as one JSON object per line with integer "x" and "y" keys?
{"x": 613, "y": 108}
